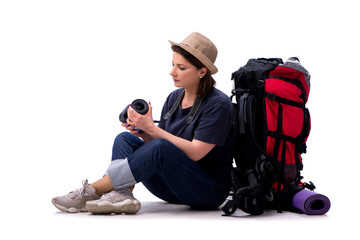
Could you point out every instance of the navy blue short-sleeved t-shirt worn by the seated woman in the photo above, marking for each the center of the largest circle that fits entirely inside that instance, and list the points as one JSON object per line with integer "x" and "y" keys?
{"x": 213, "y": 123}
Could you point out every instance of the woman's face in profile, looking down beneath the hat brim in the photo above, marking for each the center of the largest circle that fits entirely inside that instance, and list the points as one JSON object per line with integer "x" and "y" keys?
{"x": 184, "y": 73}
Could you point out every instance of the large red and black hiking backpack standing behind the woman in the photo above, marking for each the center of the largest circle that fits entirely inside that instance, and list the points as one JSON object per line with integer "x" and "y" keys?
{"x": 272, "y": 125}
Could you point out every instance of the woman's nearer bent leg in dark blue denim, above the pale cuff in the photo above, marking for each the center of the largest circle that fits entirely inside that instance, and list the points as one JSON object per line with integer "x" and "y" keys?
{"x": 169, "y": 174}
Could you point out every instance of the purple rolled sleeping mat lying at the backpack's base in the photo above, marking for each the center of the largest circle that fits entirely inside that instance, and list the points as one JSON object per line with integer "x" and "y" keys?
{"x": 311, "y": 203}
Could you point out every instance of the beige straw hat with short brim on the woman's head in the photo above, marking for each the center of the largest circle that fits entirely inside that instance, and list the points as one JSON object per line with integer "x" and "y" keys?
{"x": 200, "y": 47}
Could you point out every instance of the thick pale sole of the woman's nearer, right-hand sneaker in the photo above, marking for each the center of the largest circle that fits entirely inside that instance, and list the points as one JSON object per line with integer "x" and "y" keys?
{"x": 104, "y": 207}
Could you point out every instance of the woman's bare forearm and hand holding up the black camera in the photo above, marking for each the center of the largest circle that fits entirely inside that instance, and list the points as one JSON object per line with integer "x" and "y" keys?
{"x": 194, "y": 149}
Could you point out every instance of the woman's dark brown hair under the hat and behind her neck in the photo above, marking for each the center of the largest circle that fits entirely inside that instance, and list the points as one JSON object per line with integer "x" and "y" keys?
{"x": 207, "y": 82}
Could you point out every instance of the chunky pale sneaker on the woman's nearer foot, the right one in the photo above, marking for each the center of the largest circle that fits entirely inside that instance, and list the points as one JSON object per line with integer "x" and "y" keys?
{"x": 116, "y": 201}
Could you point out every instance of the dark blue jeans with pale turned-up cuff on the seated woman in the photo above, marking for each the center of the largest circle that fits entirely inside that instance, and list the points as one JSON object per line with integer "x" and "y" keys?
{"x": 165, "y": 171}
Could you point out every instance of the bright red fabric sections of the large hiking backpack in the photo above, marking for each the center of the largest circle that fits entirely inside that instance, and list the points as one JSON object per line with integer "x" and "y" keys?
{"x": 293, "y": 117}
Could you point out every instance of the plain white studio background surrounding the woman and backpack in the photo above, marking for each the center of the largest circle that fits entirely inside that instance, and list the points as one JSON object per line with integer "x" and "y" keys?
{"x": 67, "y": 69}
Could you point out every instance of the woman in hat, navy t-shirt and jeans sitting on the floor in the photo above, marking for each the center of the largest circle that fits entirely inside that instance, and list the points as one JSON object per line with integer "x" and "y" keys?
{"x": 185, "y": 160}
